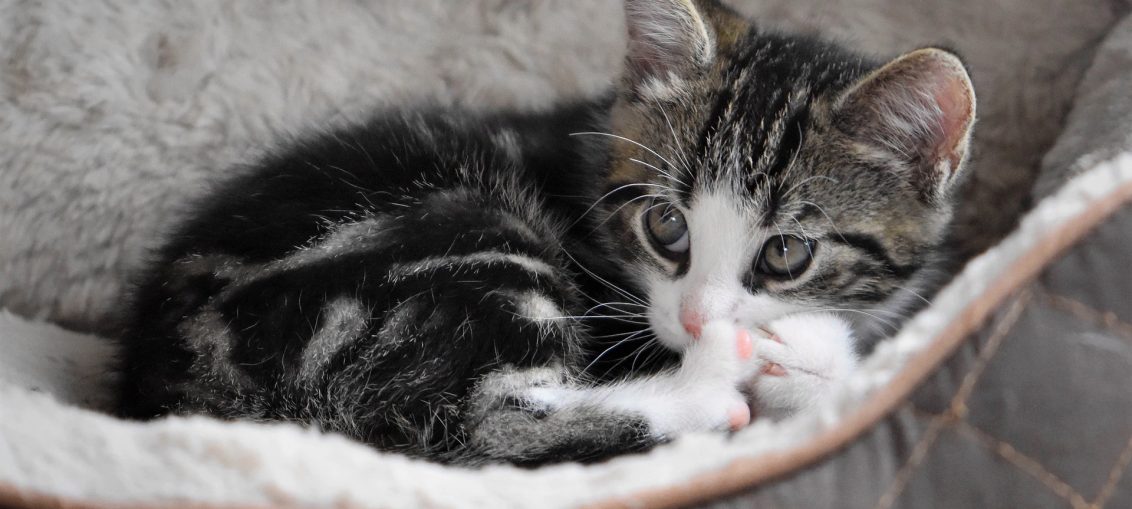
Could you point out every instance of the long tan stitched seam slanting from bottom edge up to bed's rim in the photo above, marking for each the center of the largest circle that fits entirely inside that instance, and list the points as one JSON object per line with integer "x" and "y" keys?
{"x": 957, "y": 410}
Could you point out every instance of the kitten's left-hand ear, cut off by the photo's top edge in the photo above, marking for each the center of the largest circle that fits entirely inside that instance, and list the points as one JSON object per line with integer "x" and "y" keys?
{"x": 668, "y": 41}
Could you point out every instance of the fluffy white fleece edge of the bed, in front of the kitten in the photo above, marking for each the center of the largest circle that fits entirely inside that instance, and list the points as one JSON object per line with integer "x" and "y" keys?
{"x": 50, "y": 447}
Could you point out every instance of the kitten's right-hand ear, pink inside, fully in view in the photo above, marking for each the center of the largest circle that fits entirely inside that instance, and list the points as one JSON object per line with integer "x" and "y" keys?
{"x": 917, "y": 110}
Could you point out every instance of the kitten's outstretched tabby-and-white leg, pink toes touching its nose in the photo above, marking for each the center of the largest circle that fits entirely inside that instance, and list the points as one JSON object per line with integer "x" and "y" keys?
{"x": 542, "y": 415}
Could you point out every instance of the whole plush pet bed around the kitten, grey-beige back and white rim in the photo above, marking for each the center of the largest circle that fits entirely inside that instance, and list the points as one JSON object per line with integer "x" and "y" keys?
{"x": 1010, "y": 391}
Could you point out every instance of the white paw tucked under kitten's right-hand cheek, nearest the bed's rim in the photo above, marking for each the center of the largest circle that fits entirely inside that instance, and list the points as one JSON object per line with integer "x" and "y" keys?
{"x": 805, "y": 357}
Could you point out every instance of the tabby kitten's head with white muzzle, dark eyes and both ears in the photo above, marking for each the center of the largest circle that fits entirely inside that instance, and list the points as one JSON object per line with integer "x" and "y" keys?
{"x": 760, "y": 175}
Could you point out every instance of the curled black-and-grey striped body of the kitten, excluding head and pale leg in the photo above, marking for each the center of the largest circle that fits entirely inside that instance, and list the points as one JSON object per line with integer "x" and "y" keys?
{"x": 372, "y": 303}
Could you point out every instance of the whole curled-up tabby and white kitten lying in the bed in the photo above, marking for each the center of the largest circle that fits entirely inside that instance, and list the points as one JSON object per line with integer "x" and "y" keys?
{"x": 444, "y": 283}
